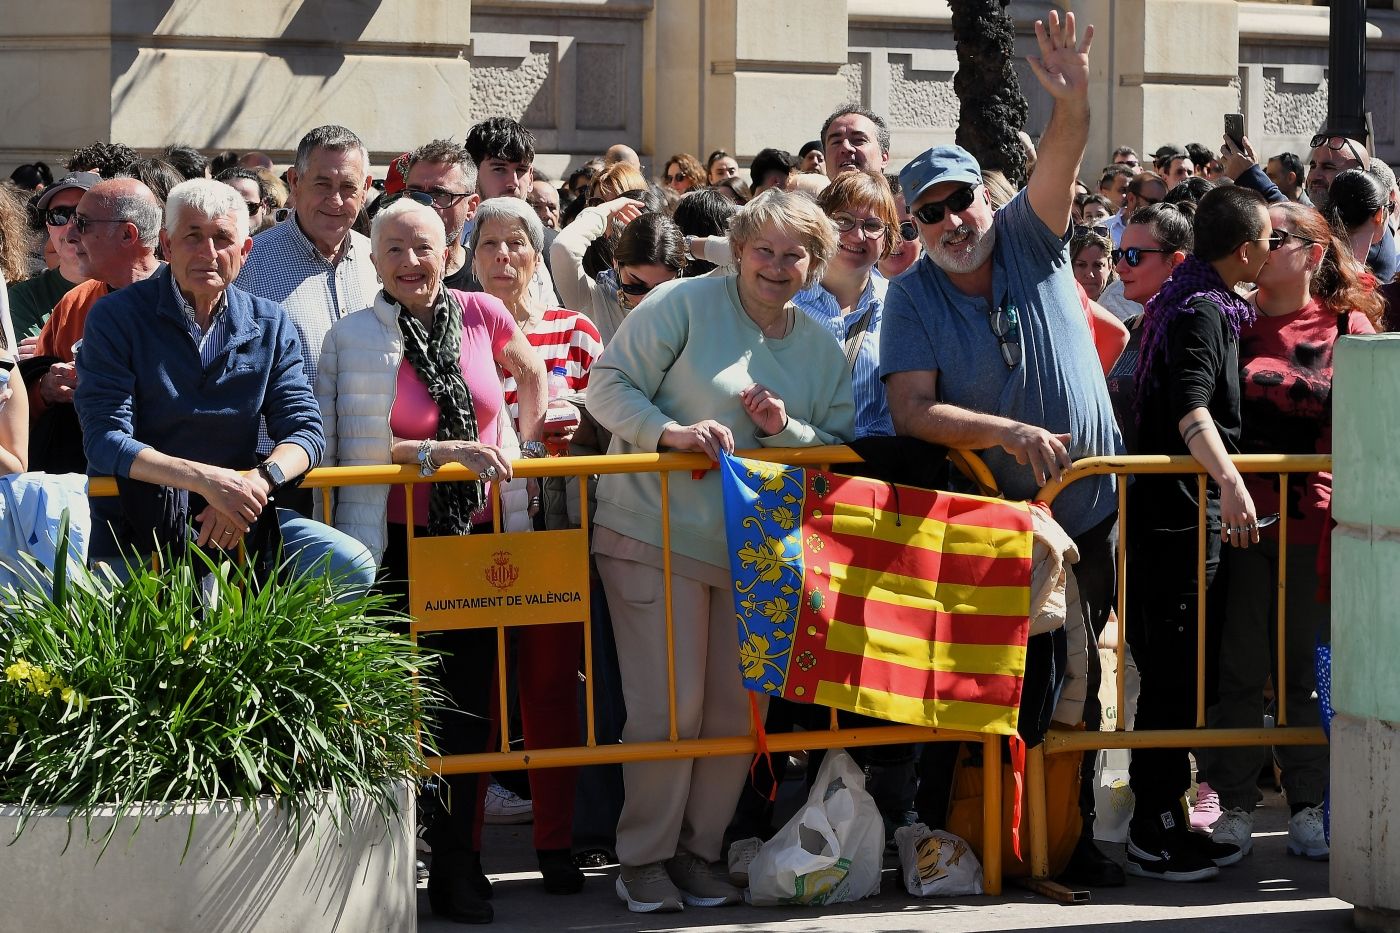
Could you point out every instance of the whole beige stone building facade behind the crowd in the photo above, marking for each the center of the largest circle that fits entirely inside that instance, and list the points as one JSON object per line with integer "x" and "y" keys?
{"x": 663, "y": 76}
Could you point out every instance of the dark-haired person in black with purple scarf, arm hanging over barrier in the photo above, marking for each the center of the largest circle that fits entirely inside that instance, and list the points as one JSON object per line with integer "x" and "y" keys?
{"x": 1188, "y": 404}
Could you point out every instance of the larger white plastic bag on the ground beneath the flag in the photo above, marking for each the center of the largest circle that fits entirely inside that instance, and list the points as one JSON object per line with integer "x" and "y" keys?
{"x": 832, "y": 851}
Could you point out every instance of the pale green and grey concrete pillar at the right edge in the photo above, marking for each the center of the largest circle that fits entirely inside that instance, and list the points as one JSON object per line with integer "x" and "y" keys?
{"x": 1366, "y": 635}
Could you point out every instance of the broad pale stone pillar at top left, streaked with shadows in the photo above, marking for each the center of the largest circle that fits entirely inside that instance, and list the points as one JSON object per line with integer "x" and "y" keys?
{"x": 254, "y": 75}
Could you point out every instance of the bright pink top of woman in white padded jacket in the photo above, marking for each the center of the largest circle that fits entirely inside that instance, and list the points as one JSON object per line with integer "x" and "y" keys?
{"x": 486, "y": 329}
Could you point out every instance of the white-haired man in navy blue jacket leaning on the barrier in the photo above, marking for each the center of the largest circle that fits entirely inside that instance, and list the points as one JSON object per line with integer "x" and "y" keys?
{"x": 173, "y": 378}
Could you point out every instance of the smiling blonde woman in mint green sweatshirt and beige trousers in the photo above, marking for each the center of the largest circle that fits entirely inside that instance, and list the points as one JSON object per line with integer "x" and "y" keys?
{"x": 703, "y": 365}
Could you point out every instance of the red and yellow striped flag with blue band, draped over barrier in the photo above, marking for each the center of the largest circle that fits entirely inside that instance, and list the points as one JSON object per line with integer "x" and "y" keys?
{"x": 899, "y": 603}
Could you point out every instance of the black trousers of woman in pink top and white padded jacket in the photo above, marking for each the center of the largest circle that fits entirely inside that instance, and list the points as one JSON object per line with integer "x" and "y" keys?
{"x": 468, "y": 724}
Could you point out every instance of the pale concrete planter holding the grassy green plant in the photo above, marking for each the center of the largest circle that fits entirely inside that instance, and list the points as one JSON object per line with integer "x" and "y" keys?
{"x": 243, "y": 872}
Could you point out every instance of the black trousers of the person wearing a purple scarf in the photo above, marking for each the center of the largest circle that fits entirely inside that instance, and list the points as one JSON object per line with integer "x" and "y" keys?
{"x": 1163, "y": 634}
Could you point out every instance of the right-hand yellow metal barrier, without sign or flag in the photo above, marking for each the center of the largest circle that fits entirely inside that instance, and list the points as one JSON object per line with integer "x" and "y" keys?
{"x": 1065, "y": 742}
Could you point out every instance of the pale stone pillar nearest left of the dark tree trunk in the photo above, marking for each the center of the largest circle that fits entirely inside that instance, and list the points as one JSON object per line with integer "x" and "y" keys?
{"x": 761, "y": 76}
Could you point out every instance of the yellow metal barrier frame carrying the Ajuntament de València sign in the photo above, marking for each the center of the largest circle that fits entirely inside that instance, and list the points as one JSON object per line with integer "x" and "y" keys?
{"x": 594, "y": 754}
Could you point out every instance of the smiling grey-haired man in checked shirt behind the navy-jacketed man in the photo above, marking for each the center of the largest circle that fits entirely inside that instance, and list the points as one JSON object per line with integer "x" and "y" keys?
{"x": 314, "y": 265}
